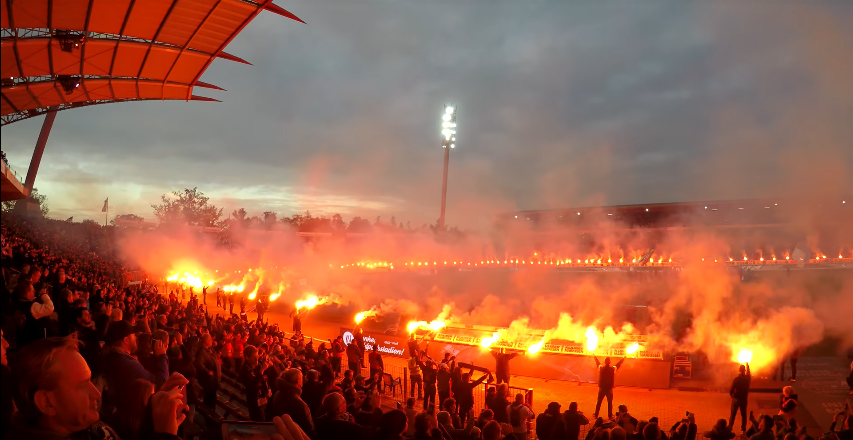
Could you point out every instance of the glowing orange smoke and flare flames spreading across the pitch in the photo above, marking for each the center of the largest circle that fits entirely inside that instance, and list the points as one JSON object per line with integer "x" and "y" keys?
{"x": 501, "y": 279}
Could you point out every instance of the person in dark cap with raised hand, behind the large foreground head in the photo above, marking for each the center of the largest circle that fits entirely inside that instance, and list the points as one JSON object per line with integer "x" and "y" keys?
{"x": 121, "y": 368}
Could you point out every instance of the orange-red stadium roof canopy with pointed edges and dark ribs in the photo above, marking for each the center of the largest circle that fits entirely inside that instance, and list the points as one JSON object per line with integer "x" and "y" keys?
{"x": 60, "y": 54}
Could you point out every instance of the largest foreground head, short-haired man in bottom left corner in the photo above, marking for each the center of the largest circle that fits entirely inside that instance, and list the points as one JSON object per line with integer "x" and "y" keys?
{"x": 54, "y": 389}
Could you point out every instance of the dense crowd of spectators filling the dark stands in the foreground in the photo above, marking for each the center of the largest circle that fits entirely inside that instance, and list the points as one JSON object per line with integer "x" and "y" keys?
{"x": 92, "y": 357}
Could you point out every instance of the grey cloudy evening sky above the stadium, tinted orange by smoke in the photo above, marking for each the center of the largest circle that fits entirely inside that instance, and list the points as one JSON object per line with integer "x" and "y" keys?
{"x": 561, "y": 103}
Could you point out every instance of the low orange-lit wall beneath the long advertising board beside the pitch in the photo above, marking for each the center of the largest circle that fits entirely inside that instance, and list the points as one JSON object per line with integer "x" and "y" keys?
{"x": 645, "y": 373}
